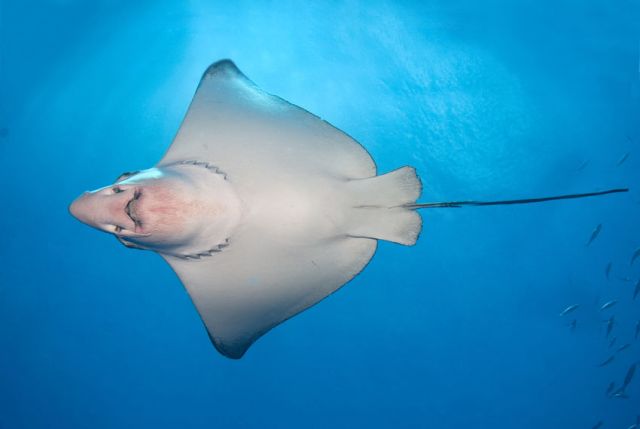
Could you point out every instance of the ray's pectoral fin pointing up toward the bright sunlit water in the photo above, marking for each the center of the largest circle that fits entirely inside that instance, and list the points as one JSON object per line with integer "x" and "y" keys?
{"x": 230, "y": 120}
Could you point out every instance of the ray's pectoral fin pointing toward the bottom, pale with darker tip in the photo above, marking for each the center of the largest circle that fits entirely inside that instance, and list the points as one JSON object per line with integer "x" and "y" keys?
{"x": 253, "y": 285}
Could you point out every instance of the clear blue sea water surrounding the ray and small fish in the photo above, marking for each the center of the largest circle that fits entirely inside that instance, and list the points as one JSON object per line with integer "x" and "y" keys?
{"x": 487, "y": 99}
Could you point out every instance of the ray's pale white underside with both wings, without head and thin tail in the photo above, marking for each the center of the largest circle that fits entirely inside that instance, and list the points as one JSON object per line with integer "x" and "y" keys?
{"x": 308, "y": 214}
